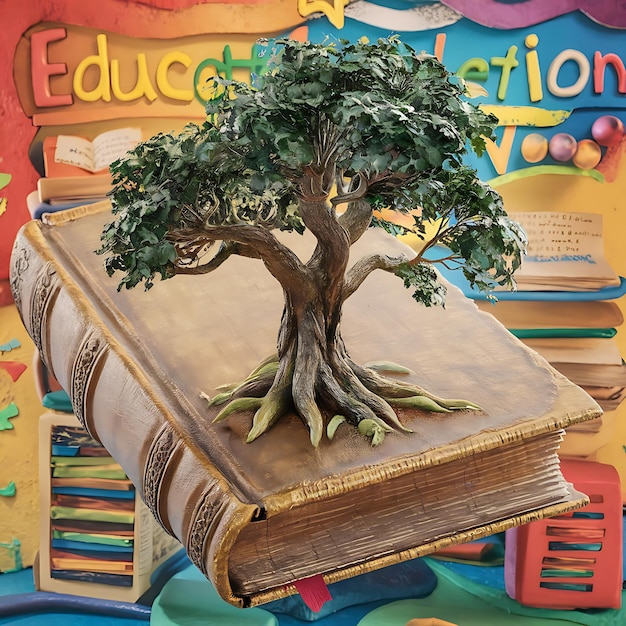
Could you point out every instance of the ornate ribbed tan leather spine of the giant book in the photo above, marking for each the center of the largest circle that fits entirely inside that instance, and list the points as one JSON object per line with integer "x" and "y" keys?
{"x": 184, "y": 491}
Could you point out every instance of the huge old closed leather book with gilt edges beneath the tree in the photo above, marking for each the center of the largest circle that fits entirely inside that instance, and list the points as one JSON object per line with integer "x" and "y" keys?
{"x": 257, "y": 517}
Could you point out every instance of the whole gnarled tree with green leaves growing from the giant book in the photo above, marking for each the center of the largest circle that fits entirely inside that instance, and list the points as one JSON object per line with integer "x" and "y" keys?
{"x": 334, "y": 133}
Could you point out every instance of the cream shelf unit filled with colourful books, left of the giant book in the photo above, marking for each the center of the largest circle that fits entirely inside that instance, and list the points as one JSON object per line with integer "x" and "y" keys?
{"x": 98, "y": 539}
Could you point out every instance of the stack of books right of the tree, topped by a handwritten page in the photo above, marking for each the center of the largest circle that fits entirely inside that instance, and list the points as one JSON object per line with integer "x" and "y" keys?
{"x": 565, "y": 306}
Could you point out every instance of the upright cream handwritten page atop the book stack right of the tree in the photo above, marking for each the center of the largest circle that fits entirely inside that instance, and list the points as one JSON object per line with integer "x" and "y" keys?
{"x": 565, "y": 251}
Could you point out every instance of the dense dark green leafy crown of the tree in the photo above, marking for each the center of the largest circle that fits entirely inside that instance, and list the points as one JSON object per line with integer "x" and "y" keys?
{"x": 379, "y": 120}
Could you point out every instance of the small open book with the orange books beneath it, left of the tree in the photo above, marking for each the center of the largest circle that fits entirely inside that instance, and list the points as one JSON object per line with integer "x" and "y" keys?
{"x": 76, "y": 168}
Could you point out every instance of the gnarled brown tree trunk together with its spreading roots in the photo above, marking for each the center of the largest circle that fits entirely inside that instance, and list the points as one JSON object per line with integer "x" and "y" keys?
{"x": 312, "y": 373}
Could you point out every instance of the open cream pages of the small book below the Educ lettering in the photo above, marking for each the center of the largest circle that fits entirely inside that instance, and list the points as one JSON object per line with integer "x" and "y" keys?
{"x": 98, "y": 154}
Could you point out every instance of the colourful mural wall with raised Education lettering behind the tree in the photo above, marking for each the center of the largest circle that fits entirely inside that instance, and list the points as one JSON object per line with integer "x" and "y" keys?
{"x": 535, "y": 64}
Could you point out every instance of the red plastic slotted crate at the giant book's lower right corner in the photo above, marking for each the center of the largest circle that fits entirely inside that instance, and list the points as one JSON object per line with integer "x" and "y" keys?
{"x": 572, "y": 561}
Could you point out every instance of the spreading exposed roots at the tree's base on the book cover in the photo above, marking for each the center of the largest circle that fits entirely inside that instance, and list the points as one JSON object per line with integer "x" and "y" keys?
{"x": 335, "y": 388}
